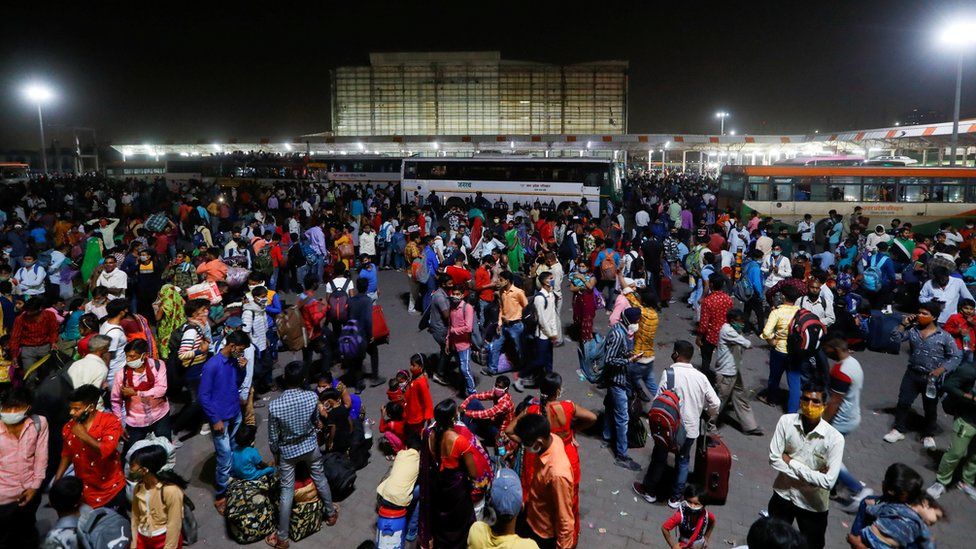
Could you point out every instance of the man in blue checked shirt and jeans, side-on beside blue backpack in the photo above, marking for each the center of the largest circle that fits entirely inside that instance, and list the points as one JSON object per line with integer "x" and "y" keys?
{"x": 618, "y": 357}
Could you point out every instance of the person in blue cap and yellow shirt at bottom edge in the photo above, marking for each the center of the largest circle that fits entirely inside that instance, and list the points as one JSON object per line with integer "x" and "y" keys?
{"x": 505, "y": 499}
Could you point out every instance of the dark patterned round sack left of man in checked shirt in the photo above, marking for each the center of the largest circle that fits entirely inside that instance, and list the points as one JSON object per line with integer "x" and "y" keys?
{"x": 250, "y": 512}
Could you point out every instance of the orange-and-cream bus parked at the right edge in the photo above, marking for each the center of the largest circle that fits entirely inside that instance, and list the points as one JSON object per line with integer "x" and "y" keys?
{"x": 920, "y": 195}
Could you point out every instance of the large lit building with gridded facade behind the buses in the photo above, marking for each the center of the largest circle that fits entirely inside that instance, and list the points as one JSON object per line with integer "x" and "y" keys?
{"x": 477, "y": 93}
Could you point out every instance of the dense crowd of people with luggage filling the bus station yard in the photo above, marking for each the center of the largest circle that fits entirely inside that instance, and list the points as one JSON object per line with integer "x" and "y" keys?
{"x": 138, "y": 313}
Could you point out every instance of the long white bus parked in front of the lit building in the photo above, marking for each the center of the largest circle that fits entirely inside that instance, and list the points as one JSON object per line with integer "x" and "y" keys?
{"x": 515, "y": 179}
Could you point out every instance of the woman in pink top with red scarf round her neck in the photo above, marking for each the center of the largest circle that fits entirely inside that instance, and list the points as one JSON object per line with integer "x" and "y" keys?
{"x": 139, "y": 395}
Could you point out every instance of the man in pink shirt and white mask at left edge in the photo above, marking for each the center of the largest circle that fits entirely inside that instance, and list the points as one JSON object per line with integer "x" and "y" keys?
{"x": 23, "y": 462}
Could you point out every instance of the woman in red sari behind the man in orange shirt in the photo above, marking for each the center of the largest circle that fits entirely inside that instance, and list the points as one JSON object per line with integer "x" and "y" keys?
{"x": 565, "y": 418}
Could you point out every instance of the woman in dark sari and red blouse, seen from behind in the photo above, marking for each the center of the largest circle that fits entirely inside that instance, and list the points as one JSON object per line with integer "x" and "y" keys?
{"x": 447, "y": 466}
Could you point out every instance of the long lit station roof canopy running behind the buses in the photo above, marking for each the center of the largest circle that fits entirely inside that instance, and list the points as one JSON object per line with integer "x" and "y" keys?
{"x": 854, "y": 141}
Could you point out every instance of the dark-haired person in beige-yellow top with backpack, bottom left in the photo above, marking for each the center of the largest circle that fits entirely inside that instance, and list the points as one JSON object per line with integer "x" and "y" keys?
{"x": 157, "y": 500}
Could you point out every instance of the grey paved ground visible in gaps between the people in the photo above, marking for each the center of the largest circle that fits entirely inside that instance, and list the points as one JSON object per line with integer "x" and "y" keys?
{"x": 611, "y": 514}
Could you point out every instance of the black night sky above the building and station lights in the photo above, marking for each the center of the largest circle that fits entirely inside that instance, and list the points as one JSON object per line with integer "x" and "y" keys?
{"x": 162, "y": 72}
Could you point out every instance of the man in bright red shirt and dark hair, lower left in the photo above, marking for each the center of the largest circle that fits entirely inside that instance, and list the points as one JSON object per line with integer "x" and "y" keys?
{"x": 91, "y": 441}
